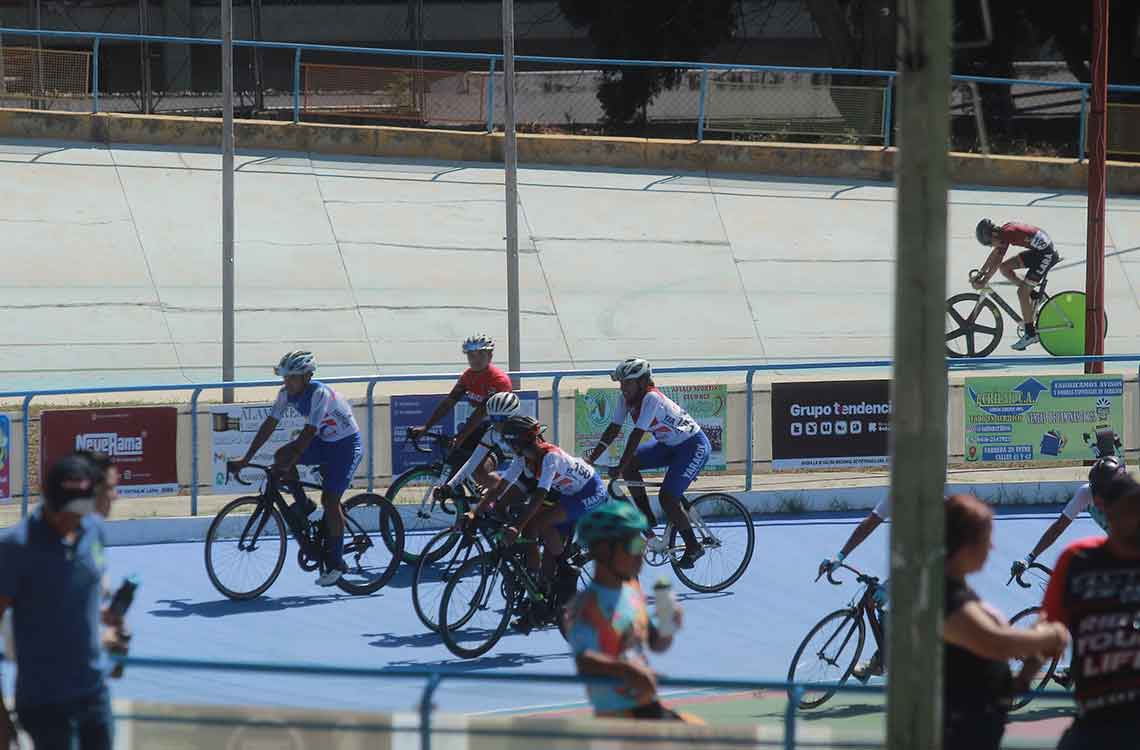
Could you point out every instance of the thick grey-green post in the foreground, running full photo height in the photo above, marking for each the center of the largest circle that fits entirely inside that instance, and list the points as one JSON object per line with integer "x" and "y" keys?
{"x": 918, "y": 421}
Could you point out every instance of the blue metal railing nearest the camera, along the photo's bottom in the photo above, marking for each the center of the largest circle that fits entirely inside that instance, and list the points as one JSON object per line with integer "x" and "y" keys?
{"x": 435, "y": 678}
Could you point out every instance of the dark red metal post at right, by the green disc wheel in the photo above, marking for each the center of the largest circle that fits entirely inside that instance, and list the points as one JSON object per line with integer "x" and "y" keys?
{"x": 1098, "y": 131}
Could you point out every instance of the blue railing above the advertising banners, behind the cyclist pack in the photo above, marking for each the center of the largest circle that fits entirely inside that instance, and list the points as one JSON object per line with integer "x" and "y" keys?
{"x": 555, "y": 377}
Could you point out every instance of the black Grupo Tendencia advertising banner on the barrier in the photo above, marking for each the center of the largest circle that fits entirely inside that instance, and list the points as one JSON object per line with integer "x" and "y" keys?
{"x": 830, "y": 425}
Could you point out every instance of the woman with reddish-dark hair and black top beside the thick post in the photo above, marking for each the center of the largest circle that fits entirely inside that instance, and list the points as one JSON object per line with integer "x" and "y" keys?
{"x": 980, "y": 641}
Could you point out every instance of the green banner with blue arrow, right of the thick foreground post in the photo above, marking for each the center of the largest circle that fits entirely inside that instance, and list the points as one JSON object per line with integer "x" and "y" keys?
{"x": 1019, "y": 419}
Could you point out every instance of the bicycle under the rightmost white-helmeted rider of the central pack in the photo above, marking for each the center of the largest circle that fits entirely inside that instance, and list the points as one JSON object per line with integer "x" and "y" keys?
{"x": 715, "y": 537}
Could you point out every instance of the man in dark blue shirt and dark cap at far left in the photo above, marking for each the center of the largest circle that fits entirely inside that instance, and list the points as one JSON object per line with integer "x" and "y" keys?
{"x": 52, "y": 568}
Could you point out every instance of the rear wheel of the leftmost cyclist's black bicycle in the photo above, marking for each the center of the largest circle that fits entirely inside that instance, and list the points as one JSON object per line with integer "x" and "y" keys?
{"x": 373, "y": 543}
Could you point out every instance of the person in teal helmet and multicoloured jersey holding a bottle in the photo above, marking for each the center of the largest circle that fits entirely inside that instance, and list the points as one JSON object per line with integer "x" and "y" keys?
{"x": 609, "y": 625}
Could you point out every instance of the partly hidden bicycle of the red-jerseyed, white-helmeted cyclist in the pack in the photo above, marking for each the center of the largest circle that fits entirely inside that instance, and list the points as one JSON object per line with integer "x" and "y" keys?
{"x": 416, "y": 487}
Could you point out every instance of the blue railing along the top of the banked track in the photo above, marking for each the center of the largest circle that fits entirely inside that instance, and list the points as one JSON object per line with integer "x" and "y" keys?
{"x": 493, "y": 62}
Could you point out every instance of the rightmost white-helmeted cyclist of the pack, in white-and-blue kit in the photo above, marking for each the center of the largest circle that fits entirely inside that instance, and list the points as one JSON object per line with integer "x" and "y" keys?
{"x": 680, "y": 446}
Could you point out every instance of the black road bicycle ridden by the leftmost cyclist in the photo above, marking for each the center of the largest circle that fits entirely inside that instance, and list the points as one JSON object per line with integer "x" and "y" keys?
{"x": 263, "y": 524}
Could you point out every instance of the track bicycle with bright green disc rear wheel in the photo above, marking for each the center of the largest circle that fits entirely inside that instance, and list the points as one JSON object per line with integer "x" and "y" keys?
{"x": 1060, "y": 321}
